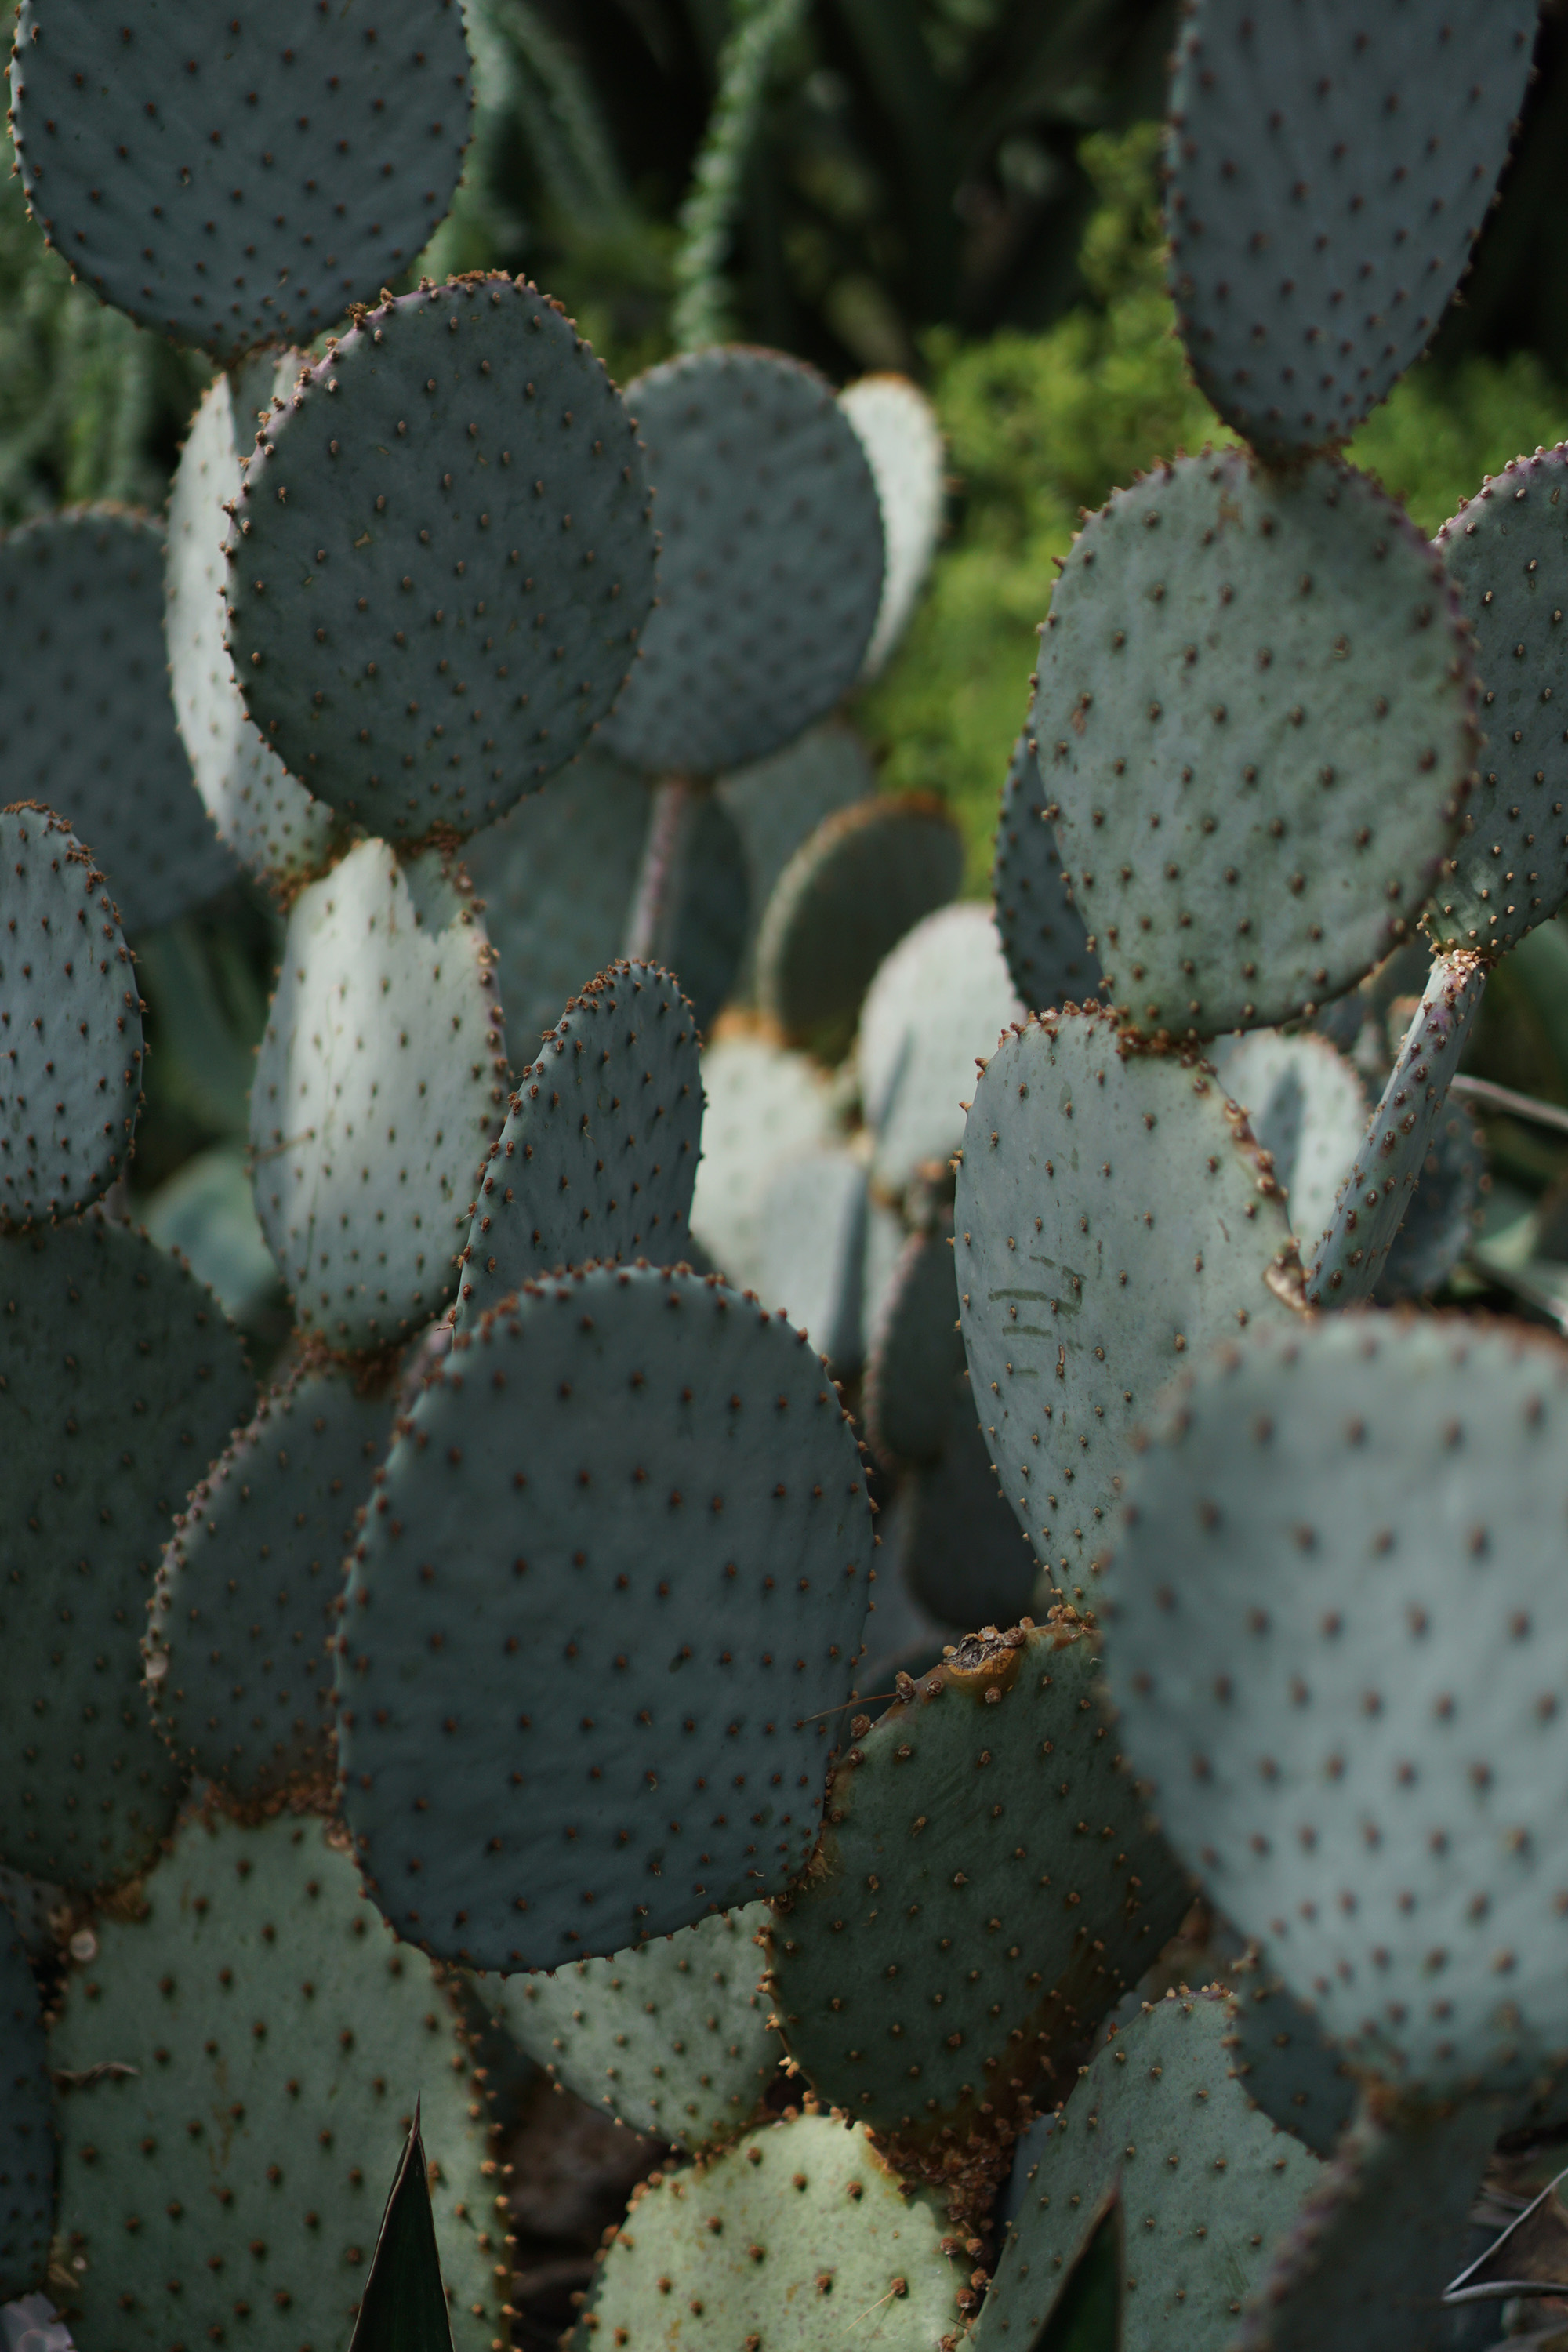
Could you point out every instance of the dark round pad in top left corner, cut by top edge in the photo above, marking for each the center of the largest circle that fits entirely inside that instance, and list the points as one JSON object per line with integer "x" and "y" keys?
{"x": 229, "y": 180}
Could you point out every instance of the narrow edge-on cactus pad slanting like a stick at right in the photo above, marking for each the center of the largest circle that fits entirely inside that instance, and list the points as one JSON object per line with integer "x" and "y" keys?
{"x": 1348, "y": 1259}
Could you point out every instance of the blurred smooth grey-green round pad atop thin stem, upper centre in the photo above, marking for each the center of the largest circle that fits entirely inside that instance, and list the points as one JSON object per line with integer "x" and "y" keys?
{"x": 770, "y": 561}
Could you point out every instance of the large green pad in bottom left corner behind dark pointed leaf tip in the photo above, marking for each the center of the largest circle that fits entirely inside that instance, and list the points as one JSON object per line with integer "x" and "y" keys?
{"x": 243, "y": 2057}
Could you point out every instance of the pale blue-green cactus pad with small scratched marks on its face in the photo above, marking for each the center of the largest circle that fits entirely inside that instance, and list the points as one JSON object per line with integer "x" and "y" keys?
{"x": 1113, "y": 1220}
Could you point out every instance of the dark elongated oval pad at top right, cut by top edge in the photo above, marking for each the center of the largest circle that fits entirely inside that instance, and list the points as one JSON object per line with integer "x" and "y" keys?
{"x": 1329, "y": 171}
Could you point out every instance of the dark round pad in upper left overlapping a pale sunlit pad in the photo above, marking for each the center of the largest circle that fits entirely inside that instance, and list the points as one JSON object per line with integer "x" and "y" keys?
{"x": 441, "y": 559}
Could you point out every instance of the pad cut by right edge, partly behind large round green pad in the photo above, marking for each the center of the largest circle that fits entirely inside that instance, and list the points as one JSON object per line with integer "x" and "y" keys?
{"x": 1508, "y": 554}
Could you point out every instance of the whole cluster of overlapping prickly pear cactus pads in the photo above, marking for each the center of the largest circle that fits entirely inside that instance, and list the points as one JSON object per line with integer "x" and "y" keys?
{"x": 1146, "y": 1831}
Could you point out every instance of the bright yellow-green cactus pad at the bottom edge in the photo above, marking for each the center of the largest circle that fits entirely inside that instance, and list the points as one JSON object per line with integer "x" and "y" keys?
{"x": 791, "y": 2240}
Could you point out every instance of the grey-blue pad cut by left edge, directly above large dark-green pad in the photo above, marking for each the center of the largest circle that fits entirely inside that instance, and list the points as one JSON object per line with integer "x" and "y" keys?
{"x": 69, "y": 1029}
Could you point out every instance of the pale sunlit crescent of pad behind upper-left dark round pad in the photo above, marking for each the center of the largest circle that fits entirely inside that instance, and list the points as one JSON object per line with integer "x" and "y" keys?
{"x": 272, "y": 824}
